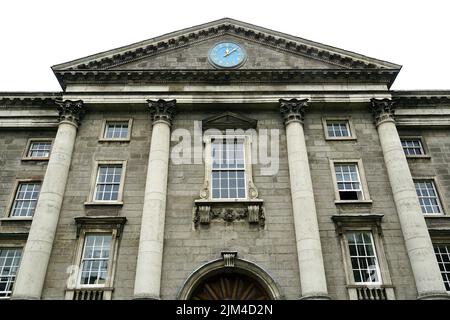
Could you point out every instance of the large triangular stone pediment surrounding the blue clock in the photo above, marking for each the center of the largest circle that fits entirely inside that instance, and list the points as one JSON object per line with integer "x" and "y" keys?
{"x": 188, "y": 49}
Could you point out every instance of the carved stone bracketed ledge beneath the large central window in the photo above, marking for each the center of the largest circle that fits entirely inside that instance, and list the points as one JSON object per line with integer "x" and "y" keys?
{"x": 204, "y": 212}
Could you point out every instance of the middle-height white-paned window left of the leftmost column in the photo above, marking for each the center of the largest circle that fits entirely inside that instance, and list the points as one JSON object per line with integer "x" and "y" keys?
{"x": 25, "y": 199}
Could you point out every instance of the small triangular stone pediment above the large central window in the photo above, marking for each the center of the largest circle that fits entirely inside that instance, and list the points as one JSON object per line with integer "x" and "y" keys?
{"x": 229, "y": 120}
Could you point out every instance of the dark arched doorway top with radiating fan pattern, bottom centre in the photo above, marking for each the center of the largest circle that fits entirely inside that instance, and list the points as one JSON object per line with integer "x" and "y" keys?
{"x": 230, "y": 286}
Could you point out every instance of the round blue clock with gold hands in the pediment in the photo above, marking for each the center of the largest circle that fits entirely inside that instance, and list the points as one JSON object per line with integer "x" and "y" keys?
{"x": 227, "y": 55}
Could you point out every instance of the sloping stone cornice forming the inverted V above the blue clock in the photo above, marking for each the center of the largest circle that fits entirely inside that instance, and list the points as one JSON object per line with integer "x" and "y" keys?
{"x": 266, "y": 37}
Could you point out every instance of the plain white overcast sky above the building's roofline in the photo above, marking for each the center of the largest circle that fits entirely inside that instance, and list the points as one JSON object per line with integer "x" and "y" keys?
{"x": 37, "y": 34}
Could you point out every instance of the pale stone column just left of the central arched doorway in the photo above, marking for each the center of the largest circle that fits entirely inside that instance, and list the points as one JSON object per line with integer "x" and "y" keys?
{"x": 149, "y": 263}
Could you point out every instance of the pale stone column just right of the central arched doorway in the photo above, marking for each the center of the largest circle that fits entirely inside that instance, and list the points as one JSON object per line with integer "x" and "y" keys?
{"x": 309, "y": 249}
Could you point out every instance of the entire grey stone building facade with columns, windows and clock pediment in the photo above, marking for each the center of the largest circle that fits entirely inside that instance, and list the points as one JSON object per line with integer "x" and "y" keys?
{"x": 329, "y": 185}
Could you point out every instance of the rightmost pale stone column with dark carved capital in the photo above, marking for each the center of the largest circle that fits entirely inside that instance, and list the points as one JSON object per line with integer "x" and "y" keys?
{"x": 417, "y": 239}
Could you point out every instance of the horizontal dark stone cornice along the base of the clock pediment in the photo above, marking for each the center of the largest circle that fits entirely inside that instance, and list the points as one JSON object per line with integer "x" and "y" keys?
{"x": 228, "y": 76}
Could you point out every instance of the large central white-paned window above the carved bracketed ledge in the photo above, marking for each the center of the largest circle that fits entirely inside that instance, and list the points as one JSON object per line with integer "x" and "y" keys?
{"x": 228, "y": 168}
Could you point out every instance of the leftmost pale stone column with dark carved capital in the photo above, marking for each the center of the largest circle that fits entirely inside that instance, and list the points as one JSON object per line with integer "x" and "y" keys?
{"x": 36, "y": 254}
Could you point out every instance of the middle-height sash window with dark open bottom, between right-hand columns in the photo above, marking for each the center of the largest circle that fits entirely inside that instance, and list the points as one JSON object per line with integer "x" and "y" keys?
{"x": 348, "y": 181}
